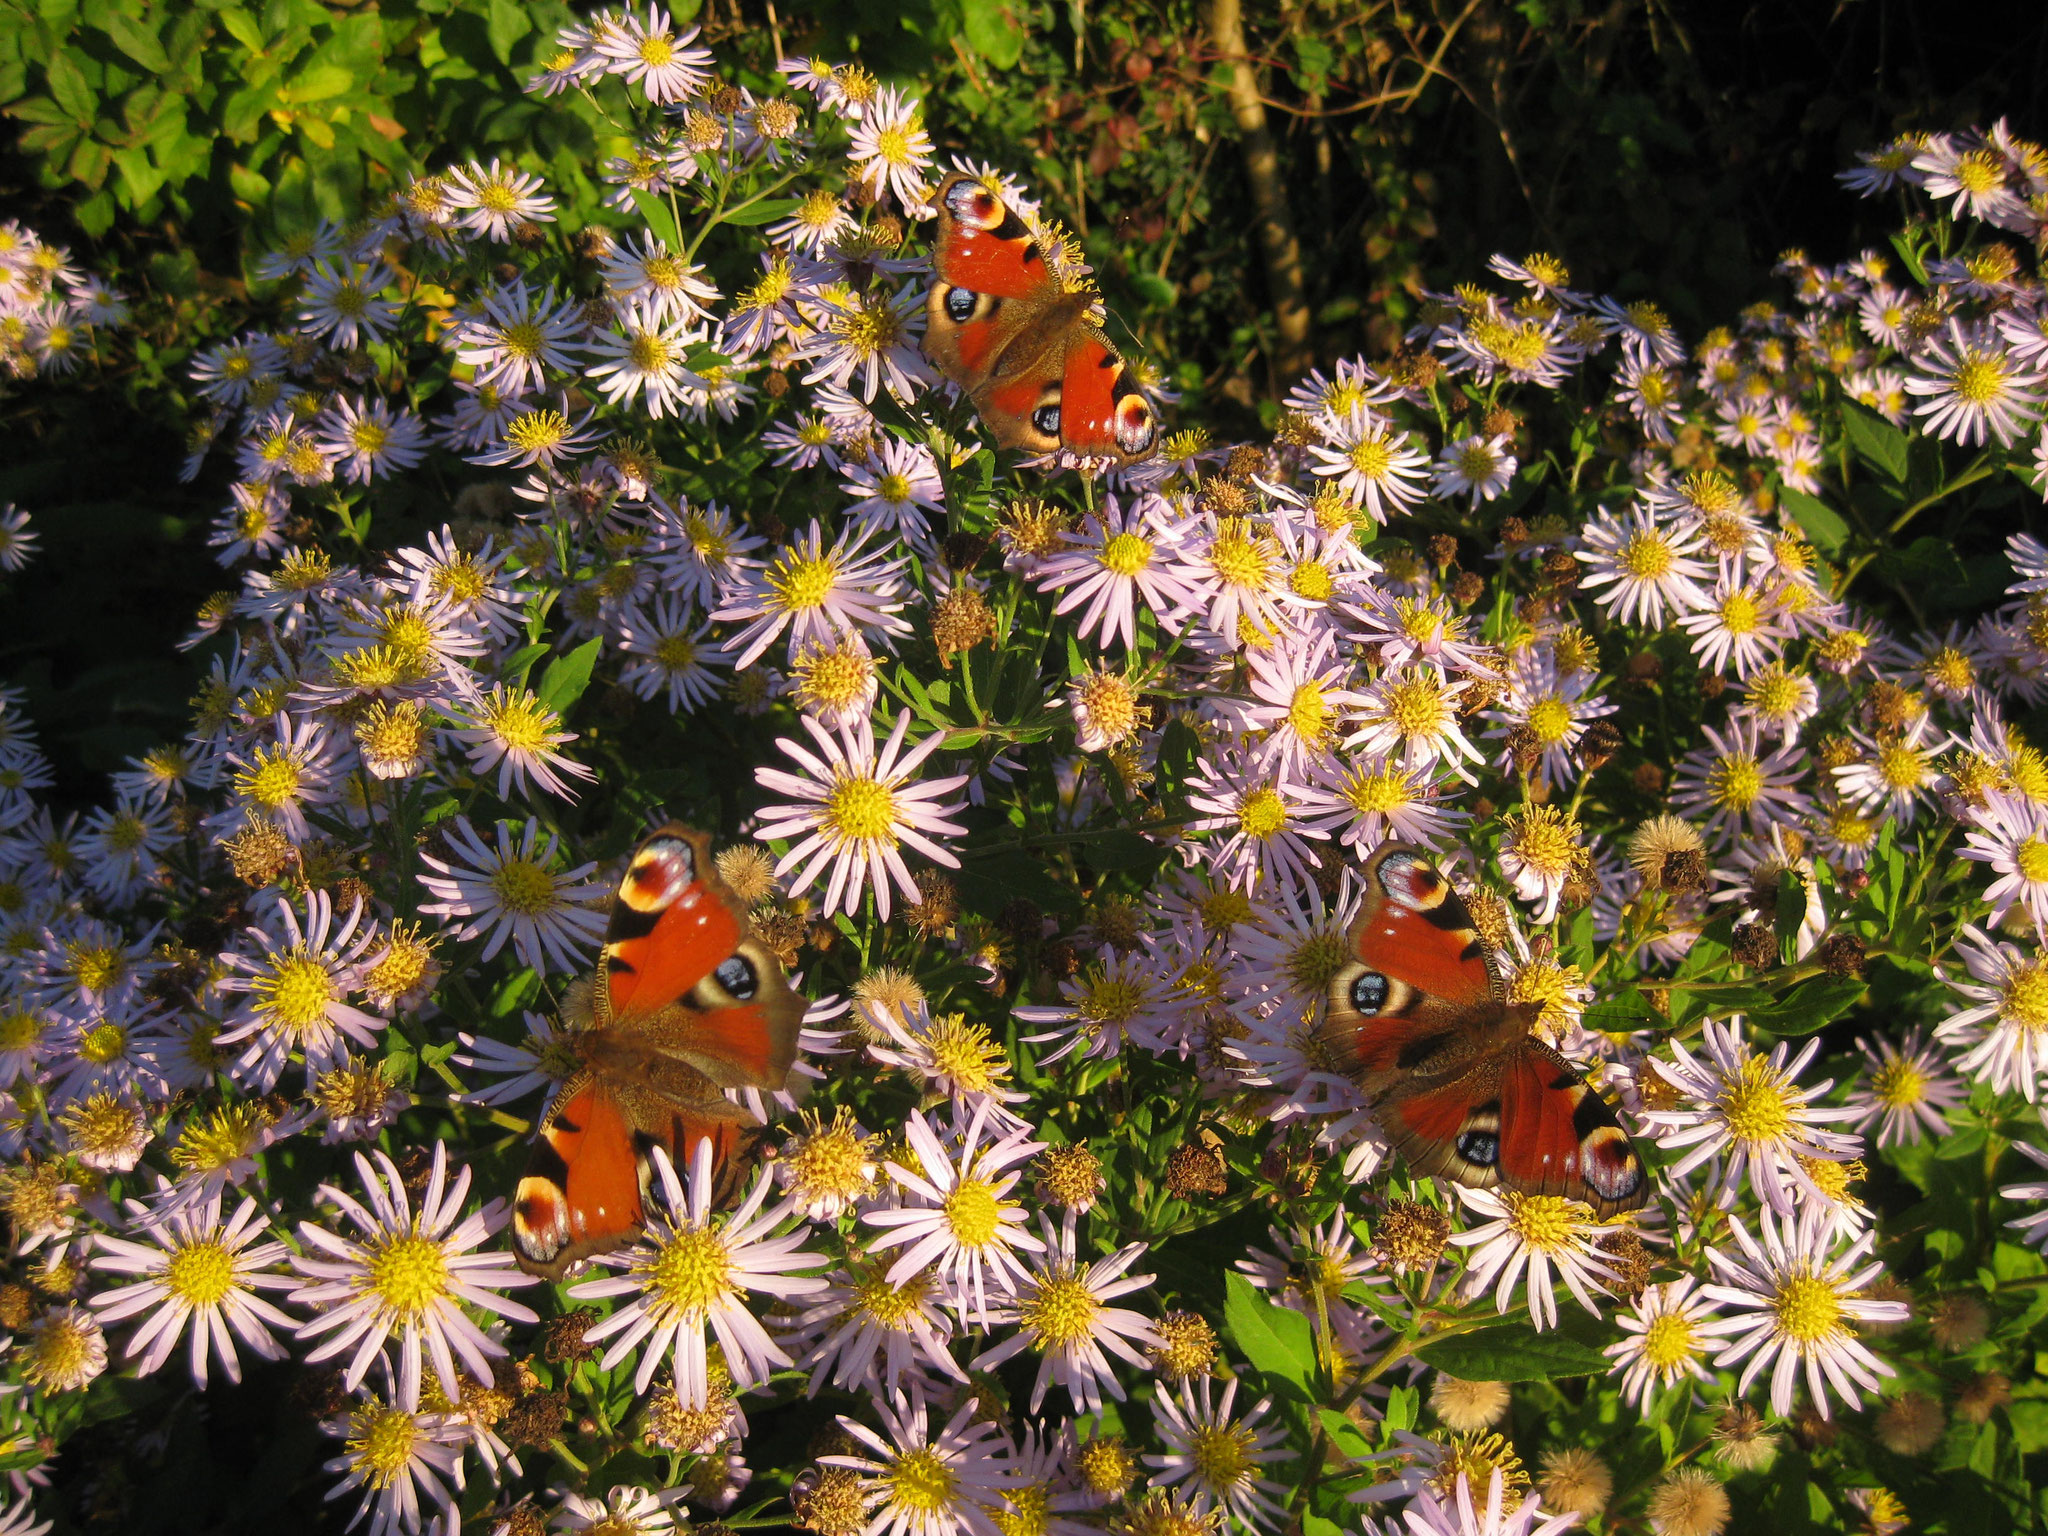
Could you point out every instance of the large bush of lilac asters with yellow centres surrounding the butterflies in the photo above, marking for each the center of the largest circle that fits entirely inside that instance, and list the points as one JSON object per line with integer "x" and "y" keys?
{"x": 1052, "y": 787}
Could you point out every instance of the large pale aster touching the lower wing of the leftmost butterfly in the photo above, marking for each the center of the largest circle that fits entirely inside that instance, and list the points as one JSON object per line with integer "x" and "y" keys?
{"x": 691, "y": 1273}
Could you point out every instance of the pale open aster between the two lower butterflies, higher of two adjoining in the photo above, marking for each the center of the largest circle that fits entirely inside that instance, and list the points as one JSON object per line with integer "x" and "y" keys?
{"x": 959, "y": 1218}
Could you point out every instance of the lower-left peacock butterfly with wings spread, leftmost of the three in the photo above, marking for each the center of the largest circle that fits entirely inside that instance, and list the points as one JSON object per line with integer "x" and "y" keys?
{"x": 687, "y": 1002}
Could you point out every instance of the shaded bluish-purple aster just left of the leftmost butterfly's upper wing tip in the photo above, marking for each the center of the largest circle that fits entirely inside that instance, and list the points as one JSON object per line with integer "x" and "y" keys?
{"x": 515, "y": 894}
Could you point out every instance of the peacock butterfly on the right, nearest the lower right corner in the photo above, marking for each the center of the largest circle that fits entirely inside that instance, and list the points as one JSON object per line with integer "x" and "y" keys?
{"x": 1422, "y": 1023}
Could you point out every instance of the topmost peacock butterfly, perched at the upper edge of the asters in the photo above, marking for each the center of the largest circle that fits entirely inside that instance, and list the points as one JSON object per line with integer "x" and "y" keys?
{"x": 1025, "y": 345}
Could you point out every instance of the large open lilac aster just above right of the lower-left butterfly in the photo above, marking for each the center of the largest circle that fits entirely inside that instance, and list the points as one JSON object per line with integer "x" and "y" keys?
{"x": 857, "y": 808}
